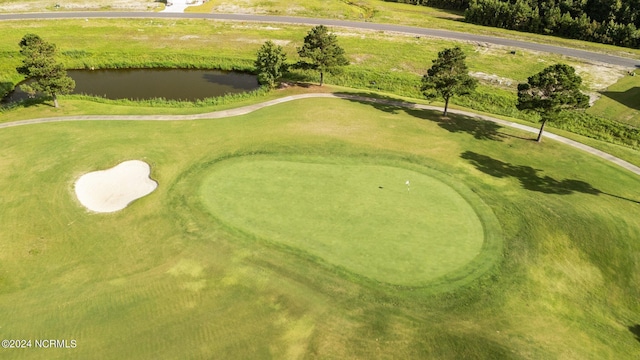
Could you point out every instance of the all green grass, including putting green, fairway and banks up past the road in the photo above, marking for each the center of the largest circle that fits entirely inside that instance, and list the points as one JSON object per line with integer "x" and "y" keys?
{"x": 290, "y": 232}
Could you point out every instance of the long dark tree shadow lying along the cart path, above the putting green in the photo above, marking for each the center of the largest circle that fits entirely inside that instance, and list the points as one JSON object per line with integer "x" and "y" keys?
{"x": 479, "y": 129}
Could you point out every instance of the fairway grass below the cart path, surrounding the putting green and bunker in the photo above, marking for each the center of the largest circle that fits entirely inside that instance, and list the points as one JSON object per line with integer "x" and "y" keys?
{"x": 165, "y": 279}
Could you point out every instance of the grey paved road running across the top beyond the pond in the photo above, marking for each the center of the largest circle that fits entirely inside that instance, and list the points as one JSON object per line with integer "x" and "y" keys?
{"x": 581, "y": 54}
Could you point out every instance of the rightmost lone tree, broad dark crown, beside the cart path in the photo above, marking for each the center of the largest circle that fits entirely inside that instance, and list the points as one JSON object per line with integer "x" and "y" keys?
{"x": 555, "y": 88}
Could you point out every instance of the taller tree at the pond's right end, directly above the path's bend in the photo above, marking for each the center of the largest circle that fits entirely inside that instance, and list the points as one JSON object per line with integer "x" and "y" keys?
{"x": 323, "y": 52}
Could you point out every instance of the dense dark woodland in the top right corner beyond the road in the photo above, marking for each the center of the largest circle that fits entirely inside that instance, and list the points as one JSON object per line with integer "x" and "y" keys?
{"x": 604, "y": 21}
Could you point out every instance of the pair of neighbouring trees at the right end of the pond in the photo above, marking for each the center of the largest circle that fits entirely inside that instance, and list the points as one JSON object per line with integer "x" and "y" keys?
{"x": 320, "y": 52}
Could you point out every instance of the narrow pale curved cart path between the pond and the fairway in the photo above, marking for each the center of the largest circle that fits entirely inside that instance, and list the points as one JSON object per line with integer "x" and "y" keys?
{"x": 251, "y": 108}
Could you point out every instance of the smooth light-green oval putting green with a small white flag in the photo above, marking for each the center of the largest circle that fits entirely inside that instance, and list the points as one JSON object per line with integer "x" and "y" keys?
{"x": 363, "y": 218}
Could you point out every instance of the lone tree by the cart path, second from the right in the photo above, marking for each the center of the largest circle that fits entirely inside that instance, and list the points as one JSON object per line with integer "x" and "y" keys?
{"x": 448, "y": 76}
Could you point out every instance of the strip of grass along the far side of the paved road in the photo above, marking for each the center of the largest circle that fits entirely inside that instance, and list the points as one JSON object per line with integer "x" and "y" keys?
{"x": 362, "y": 10}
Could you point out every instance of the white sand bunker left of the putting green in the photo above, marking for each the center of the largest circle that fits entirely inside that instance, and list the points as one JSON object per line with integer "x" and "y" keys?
{"x": 113, "y": 189}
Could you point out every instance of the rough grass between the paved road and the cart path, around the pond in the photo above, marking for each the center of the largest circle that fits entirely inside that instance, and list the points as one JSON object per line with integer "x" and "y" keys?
{"x": 185, "y": 43}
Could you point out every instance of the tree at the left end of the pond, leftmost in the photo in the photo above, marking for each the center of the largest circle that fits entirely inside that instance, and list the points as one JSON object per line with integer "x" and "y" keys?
{"x": 39, "y": 65}
